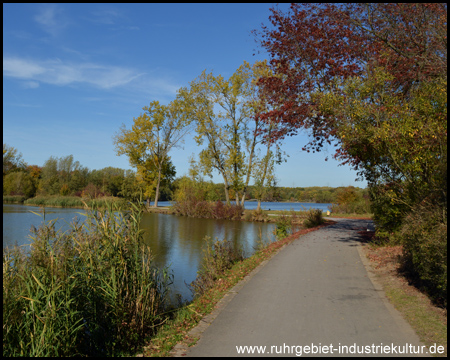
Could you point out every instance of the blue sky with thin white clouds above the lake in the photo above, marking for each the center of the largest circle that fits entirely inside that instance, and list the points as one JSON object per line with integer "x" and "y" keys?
{"x": 73, "y": 73}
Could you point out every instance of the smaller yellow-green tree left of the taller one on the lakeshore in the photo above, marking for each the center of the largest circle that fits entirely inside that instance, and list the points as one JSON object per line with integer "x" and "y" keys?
{"x": 152, "y": 137}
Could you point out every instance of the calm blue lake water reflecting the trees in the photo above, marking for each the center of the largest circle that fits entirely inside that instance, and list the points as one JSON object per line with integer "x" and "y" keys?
{"x": 176, "y": 241}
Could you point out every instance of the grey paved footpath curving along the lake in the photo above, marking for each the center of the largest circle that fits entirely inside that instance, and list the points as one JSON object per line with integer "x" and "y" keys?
{"x": 315, "y": 292}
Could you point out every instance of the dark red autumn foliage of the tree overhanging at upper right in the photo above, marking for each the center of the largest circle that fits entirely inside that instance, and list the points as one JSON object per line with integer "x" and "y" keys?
{"x": 314, "y": 45}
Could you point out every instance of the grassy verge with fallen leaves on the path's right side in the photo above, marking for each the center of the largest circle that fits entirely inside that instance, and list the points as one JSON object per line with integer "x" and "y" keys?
{"x": 428, "y": 320}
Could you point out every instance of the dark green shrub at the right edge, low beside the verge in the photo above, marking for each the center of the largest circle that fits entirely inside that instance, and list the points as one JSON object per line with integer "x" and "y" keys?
{"x": 424, "y": 234}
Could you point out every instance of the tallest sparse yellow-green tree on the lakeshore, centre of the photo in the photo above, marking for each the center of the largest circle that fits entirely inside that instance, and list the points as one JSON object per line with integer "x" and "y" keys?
{"x": 224, "y": 111}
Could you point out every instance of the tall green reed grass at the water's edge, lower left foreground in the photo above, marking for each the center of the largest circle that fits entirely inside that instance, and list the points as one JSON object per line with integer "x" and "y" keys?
{"x": 90, "y": 291}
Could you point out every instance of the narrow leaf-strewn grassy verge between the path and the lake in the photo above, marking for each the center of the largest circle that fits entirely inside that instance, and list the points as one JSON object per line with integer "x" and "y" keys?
{"x": 185, "y": 318}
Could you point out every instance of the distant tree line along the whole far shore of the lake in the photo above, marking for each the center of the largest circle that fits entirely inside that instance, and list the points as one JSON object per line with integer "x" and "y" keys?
{"x": 64, "y": 176}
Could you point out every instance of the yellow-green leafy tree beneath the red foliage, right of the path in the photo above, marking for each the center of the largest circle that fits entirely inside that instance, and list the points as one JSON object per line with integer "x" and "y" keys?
{"x": 396, "y": 140}
